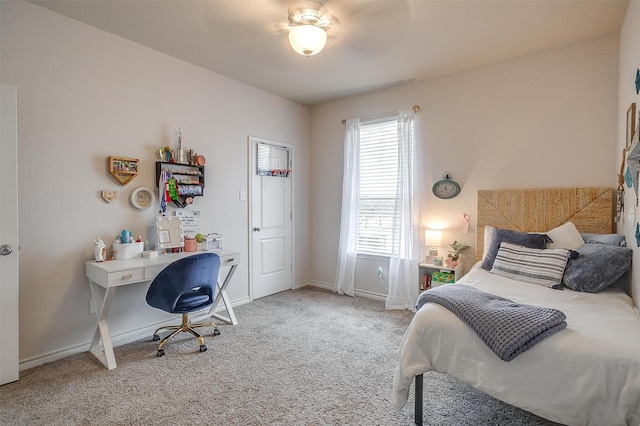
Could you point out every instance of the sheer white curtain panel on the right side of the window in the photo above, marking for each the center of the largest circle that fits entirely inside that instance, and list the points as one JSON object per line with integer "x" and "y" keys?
{"x": 403, "y": 265}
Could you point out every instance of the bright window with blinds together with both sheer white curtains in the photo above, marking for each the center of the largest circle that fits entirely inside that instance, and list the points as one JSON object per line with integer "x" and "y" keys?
{"x": 378, "y": 209}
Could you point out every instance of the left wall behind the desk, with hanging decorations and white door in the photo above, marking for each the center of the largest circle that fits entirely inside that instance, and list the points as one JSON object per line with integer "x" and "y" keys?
{"x": 83, "y": 95}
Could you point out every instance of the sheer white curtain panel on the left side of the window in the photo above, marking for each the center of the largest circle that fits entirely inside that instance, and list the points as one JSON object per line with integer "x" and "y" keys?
{"x": 348, "y": 248}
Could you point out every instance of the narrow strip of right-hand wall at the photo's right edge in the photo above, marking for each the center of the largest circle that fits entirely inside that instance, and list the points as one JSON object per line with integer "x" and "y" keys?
{"x": 629, "y": 53}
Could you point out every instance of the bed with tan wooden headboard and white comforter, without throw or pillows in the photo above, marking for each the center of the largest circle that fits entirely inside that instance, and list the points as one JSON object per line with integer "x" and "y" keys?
{"x": 585, "y": 374}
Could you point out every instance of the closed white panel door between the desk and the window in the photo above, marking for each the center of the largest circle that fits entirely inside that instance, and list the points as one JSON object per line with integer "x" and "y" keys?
{"x": 271, "y": 217}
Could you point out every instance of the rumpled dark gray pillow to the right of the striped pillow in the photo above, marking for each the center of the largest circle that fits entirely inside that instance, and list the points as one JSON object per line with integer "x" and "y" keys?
{"x": 597, "y": 267}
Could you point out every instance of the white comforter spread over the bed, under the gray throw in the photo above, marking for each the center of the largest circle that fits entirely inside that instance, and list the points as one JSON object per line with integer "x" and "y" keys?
{"x": 587, "y": 374}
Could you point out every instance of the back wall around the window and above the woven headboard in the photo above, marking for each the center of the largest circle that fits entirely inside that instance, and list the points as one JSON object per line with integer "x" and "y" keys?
{"x": 542, "y": 120}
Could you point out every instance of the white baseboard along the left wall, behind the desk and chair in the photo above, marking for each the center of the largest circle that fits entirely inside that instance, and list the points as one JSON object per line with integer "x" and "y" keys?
{"x": 117, "y": 339}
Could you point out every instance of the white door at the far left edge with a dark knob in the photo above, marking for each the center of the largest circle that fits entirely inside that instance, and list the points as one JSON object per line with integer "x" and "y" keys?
{"x": 8, "y": 235}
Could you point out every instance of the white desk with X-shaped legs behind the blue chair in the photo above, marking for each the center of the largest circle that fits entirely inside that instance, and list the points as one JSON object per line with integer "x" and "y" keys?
{"x": 106, "y": 277}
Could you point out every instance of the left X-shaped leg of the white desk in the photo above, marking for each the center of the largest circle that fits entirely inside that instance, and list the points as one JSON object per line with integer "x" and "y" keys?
{"x": 102, "y": 299}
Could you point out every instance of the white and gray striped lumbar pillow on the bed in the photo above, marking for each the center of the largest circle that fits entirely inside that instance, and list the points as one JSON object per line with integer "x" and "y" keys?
{"x": 538, "y": 266}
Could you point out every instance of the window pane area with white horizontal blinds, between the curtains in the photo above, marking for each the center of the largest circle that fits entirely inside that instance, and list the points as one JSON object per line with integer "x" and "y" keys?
{"x": 378, "y": 186}
